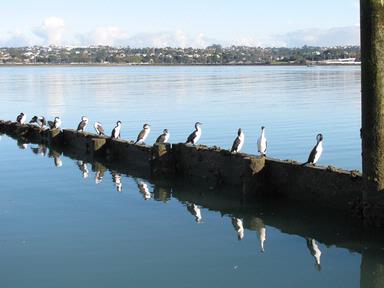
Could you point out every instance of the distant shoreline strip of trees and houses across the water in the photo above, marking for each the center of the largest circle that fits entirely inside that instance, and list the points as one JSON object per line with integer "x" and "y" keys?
{"x": 214, "y": 54}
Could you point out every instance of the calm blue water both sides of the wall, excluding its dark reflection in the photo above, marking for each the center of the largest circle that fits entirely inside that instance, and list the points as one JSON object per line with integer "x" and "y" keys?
{"x": 67, "y": 223}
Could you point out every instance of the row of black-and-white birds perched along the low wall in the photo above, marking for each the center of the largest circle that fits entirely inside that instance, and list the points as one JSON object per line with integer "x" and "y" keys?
{"x": 193, "y": 138}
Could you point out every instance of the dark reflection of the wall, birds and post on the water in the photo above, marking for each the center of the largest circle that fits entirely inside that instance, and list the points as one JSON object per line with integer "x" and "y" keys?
{"x": 315, "y": 225}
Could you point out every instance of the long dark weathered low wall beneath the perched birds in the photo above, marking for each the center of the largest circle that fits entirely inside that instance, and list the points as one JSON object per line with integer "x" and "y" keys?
{"x": 250, "y": 175}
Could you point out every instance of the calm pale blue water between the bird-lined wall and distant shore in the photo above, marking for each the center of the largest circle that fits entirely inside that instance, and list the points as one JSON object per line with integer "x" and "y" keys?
{"x": 294, "y": 103}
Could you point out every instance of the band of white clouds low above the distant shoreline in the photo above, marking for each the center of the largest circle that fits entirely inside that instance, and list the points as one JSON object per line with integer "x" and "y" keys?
{"x": 54, "y": 31}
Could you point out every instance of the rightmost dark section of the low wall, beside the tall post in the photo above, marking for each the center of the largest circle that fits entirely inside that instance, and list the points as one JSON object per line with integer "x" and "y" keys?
{"x": 327, "y": 186}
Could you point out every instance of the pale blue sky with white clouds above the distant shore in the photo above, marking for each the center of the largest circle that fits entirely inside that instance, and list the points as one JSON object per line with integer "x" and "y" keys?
{"x": 179, "y": 23}
